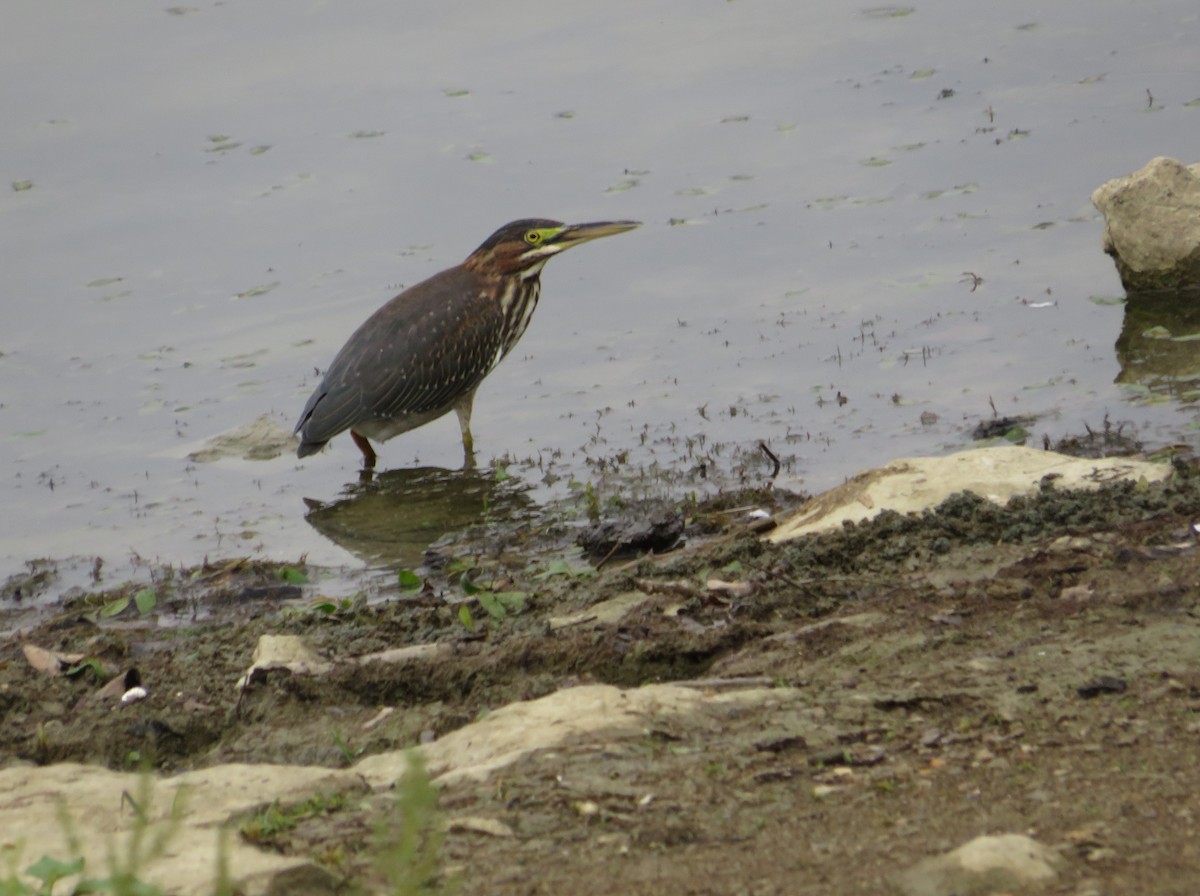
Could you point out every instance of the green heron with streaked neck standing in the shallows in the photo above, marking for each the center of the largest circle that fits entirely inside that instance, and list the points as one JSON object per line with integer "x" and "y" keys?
{"x": 425, "y": 352}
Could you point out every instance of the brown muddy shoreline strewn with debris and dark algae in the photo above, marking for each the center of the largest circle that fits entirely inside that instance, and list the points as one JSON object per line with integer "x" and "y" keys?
{"x": 968, "y": 671}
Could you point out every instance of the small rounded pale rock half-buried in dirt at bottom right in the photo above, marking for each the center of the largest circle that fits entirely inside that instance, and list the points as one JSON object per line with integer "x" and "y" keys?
{"x": 1004, "y": 864}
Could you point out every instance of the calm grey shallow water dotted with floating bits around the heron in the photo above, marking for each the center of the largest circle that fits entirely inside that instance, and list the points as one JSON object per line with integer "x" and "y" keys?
{"x": 208, "y": 200}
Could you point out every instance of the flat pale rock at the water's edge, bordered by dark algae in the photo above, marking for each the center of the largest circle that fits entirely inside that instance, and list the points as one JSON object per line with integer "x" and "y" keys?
{"x": 916, "y": 484}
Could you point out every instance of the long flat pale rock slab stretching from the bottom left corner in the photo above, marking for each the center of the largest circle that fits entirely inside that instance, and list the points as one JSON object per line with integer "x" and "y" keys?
{"x": 190, "y": 810}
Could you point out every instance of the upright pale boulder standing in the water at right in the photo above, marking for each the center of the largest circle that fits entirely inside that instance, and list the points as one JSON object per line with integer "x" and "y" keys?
{"x": 1153, "y": 226}
